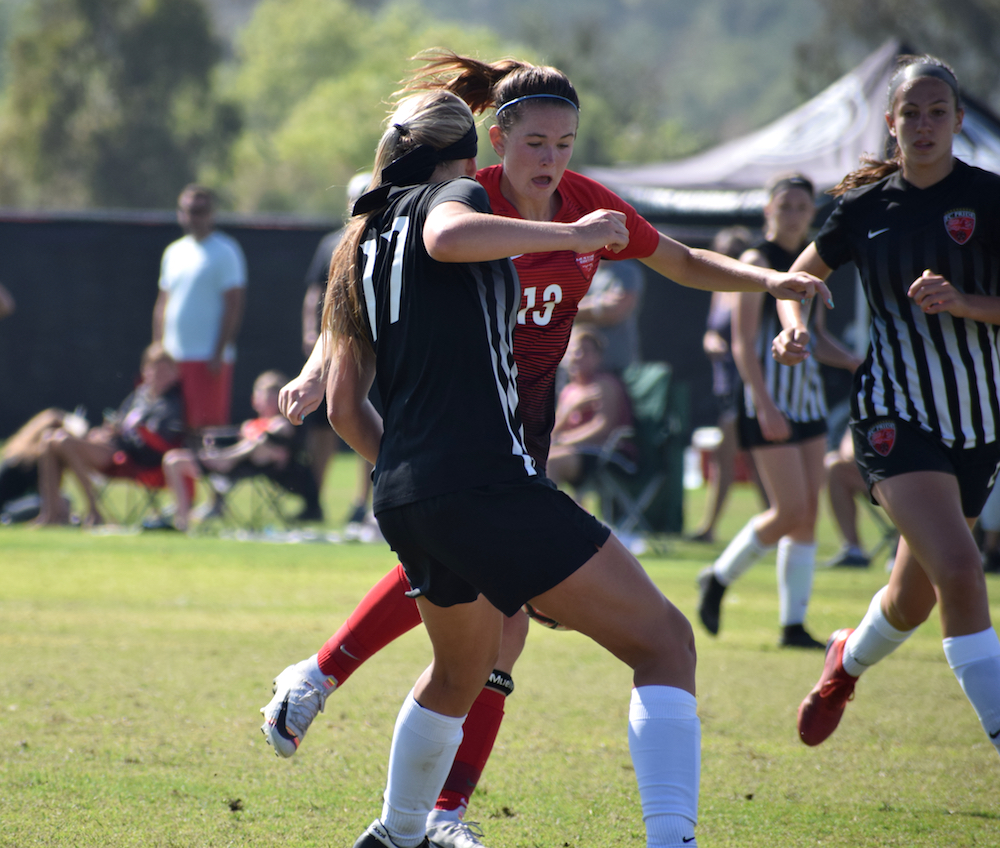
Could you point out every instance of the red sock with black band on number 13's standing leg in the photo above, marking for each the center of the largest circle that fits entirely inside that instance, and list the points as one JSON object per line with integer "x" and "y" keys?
{"x": 481, "y": 727}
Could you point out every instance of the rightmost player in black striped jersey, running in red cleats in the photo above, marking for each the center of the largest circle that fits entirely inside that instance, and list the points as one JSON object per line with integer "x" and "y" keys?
{"x": 924, "y": 231}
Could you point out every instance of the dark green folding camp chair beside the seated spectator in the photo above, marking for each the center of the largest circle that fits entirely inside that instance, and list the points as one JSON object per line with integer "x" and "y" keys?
{"x": 646, "y": 495}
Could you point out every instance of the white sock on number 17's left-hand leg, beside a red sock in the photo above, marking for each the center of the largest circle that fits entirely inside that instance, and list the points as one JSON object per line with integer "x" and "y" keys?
{"x": 423, "y": 750}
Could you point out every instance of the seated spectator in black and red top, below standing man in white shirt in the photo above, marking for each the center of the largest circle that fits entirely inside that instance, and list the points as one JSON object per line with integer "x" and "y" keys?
{"x": 149, "y": 422}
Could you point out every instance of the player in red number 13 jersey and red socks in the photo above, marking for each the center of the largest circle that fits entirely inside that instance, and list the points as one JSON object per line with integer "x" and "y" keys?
{"x": 538, "y": 110}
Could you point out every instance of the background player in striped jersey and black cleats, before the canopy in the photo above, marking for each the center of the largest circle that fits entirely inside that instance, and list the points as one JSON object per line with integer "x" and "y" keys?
{"x": 782, "y": 423}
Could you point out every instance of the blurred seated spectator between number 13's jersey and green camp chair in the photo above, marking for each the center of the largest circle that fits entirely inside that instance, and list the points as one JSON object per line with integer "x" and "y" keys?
{"x": 591, "y": 406}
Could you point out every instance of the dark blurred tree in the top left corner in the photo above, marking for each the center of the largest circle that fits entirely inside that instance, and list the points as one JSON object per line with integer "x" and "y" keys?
{"x": 110, "y": 103}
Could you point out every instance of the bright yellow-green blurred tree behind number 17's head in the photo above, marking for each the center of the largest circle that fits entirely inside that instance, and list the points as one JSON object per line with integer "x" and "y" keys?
{"x": 313, "y": 81}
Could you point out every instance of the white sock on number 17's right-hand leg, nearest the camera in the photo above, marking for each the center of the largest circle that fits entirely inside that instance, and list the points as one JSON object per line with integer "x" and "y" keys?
{"x": 664, "y": 737}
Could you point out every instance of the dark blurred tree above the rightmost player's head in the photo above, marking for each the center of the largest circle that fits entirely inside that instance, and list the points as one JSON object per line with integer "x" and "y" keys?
{"x": 965, "y": 34}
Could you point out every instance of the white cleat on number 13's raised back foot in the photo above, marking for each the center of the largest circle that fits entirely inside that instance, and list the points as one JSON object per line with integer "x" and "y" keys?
{"x": 300, "y": 694}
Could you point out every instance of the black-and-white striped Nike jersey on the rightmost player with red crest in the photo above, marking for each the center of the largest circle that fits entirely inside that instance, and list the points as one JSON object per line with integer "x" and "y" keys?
{"x": 936, "y": 371}
